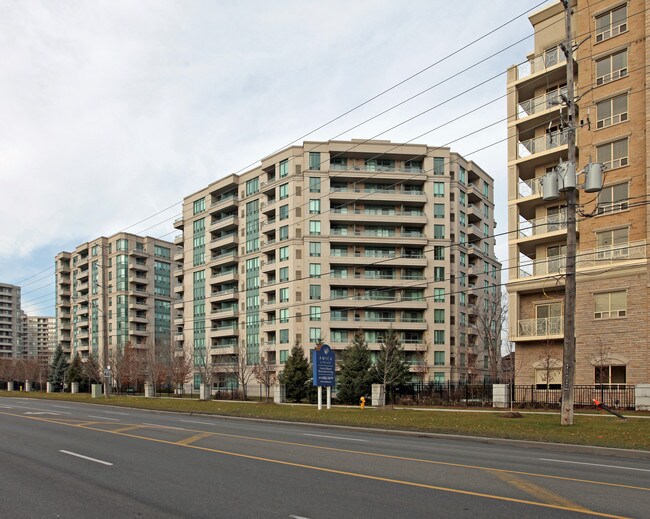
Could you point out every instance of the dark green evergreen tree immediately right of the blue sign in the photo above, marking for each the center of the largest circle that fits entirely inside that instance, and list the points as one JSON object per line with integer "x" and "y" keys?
{"x": 355, "y": 378}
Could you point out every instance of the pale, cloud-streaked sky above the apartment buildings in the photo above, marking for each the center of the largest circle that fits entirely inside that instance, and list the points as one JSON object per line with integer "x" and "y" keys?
{"x": 113, "y": 111}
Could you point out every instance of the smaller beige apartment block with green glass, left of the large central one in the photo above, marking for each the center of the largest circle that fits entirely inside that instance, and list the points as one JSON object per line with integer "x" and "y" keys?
{"x": 125, "y": 279}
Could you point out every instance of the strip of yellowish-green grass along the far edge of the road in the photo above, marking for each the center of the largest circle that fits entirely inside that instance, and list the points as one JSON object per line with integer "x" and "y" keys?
{"x": 588, "y": 428}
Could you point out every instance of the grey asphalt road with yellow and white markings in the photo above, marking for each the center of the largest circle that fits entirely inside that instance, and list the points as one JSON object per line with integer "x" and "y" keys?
{"x": 68, "y": 460}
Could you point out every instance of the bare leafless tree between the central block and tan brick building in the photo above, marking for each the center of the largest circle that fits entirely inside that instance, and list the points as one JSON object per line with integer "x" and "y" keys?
{"x": 491, "y": 320}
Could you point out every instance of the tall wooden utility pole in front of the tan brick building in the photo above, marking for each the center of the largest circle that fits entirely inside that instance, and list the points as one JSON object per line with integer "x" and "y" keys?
{"x": 569, "y": 350}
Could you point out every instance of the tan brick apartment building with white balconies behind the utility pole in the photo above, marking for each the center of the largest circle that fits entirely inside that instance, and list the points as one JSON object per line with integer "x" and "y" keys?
{"x": 612, "y": 317}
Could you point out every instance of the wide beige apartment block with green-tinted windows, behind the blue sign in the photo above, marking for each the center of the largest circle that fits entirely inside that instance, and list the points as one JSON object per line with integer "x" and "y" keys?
{"x": 328, "y": 238}
